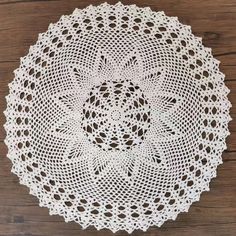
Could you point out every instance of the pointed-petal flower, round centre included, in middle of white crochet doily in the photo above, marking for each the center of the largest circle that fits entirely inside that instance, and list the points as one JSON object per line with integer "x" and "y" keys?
{"x": 116, "y": 116}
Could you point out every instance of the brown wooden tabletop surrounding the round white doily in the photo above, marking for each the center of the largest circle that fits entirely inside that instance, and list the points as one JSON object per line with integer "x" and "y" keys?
{"x": 215, "y": 22}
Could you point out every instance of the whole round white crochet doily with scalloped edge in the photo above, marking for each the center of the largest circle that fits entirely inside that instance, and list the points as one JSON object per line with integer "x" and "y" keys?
{"x": 117, "y": 117}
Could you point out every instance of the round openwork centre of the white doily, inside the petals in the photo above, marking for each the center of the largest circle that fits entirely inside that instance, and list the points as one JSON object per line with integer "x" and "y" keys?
{"x": 116, "y": 115}
